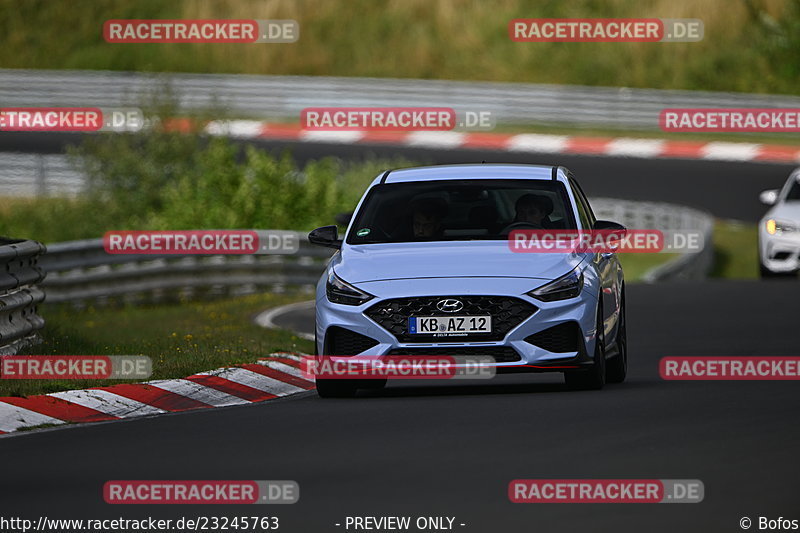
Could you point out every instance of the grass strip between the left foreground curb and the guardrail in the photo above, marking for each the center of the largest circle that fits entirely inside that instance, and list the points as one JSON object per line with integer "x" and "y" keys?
{"x": 181, "y": 339}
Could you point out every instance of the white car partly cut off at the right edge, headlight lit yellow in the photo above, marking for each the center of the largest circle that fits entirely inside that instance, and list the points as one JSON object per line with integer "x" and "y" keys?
{"x": 779, "y": 230}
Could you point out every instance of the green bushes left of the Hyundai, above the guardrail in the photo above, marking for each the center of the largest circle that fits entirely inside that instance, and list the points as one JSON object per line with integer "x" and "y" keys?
{"x": 159, "y": 180}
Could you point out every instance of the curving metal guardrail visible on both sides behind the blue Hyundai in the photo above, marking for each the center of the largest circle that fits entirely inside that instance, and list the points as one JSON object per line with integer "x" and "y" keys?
{"x": 81, "y": 271}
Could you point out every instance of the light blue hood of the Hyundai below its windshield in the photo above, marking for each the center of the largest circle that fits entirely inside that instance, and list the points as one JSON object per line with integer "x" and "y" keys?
{"x": 380, "y": 262}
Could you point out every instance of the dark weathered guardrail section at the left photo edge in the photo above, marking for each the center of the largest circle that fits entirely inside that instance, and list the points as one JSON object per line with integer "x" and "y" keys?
{"x": 19, "y": 295}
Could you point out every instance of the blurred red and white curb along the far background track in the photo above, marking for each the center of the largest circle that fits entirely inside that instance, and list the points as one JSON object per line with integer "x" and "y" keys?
{"x": 525, "y": 142}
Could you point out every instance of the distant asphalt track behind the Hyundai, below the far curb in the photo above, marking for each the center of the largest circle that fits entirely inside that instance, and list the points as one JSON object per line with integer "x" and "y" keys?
{"x": 726, "y": 189}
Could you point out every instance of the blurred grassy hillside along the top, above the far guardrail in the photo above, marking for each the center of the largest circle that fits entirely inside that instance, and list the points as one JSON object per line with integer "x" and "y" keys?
{"x": 749, "y": 45}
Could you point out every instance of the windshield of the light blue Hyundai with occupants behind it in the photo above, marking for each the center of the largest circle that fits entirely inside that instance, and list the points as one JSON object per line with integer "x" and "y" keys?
{"x": 459, "y": 210}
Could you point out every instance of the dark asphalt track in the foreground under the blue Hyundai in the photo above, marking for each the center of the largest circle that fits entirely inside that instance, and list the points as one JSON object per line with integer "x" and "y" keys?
{"x": 450, "y": 449}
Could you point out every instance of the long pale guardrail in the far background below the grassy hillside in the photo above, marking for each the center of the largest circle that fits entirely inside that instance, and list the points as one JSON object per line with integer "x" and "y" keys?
{"x": 278, "y": 97}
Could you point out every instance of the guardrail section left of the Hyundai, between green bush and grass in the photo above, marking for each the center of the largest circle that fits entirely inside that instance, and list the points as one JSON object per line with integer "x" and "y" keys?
{"x": 81, "y": 271}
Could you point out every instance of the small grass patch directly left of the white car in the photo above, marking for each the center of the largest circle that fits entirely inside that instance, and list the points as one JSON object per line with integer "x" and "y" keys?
{"x": 735, "y": 250}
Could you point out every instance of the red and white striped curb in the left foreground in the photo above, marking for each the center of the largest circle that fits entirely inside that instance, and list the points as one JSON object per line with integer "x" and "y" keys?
{"x": 271, "y": 377}
